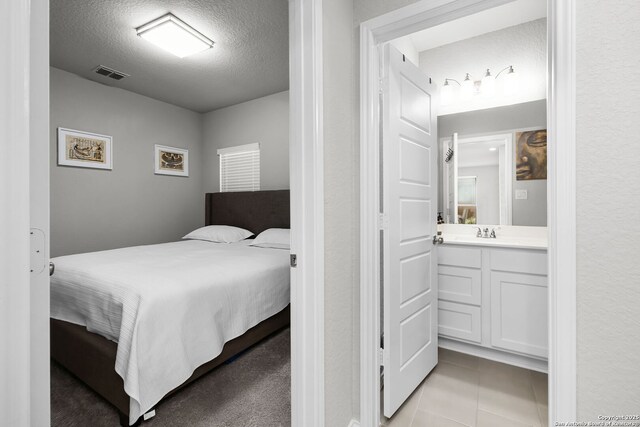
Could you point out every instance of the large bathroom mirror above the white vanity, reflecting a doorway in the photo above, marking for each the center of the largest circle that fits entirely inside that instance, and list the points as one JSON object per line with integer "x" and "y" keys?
{"x": 493, "y": 166}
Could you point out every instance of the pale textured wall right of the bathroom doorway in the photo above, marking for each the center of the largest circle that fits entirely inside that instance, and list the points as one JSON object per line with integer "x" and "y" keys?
{"x": 608, "y": 199}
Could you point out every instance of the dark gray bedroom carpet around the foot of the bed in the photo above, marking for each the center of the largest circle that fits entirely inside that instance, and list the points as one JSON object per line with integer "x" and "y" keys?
{"x": 253, "y": 390}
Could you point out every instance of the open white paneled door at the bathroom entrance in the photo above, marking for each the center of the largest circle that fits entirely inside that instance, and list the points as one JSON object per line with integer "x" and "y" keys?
{"x": 409, "y": 194}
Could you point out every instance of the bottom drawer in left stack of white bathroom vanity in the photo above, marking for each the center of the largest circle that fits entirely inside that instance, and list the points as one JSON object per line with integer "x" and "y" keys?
{"x": 459, "y": 321}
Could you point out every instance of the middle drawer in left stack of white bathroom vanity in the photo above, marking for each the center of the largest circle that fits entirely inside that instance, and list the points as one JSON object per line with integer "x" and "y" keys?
{"x": 459, "y": 284}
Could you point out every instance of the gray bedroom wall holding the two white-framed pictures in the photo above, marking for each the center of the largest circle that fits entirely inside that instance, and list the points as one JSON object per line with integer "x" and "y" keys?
{"x": 95, "y": 209}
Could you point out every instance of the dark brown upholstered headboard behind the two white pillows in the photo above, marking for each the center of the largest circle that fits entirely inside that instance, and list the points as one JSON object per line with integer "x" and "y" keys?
{"x": 252, "y": 210}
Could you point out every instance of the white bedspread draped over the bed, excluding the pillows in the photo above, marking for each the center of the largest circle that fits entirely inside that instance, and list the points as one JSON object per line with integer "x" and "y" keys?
{"x": 170, "y": 307}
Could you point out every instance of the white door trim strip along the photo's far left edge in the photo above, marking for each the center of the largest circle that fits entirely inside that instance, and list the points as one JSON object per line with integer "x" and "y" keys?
{"x": 15, "y": 325}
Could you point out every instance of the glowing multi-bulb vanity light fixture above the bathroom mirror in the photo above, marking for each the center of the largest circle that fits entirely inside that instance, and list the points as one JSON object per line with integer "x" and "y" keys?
{"x": 485, "y": 87}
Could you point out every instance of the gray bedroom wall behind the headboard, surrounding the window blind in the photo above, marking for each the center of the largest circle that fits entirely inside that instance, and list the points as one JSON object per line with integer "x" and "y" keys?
{"x": 264, "y": 120}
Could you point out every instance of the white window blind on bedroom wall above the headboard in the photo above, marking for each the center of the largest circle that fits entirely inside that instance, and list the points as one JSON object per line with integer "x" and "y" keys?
{"x": 240, "y": 168}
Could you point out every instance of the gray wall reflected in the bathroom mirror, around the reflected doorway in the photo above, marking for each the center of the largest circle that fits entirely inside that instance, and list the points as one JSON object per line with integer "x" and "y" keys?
{"x": 533, "y": 210}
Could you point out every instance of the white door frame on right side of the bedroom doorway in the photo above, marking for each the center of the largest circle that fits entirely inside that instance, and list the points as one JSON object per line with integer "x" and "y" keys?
{"x": 307, "y": 213}
